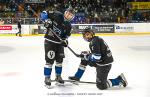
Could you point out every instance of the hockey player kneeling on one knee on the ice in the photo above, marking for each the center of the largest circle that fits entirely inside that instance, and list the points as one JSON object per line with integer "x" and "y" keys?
{"x": 99, "y": 57}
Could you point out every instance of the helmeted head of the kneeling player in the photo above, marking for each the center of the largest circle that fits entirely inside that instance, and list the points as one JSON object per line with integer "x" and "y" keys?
{"x": 88, "y": 34}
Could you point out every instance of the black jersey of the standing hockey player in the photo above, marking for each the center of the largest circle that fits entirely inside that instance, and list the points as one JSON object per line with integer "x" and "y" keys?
{"x": 61, "y": 27}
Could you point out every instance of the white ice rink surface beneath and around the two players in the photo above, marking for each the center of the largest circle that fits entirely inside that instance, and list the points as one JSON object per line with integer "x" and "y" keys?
{"x": 22, "y": 62}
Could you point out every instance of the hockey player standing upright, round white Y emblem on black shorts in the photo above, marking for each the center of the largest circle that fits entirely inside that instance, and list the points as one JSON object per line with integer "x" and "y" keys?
{"x": 59, "y": 23}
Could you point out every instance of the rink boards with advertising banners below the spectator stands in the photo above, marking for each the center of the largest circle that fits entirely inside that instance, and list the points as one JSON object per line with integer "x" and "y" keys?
{"x": 117, "y": 28}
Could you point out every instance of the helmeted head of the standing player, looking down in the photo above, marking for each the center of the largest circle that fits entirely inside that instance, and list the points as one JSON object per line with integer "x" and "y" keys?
{"x": 69, "y": 14}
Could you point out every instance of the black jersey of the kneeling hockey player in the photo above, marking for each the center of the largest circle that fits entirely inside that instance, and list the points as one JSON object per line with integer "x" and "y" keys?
{"x": 99, "y": 47}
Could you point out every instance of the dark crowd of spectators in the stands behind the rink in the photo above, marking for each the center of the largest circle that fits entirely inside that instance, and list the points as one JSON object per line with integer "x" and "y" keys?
{"x": 87, "y": 11}
